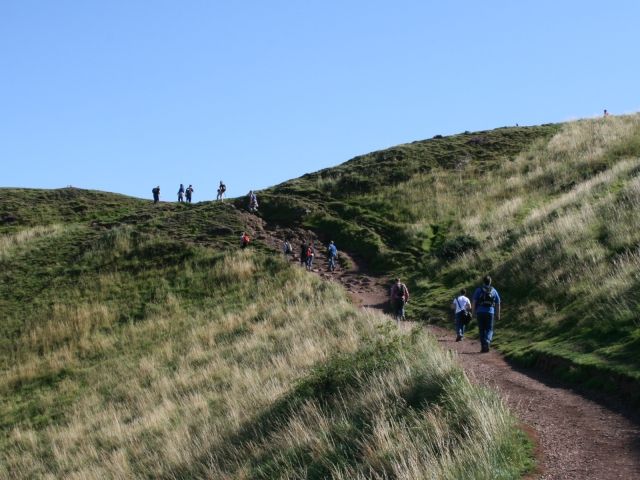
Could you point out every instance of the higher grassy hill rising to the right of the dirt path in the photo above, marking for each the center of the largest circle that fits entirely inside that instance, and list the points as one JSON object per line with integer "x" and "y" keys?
{"x": 549, "y": 211}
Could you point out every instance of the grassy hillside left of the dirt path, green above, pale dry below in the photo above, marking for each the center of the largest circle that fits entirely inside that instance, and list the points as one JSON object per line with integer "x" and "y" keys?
{"x": 137, "y": 341}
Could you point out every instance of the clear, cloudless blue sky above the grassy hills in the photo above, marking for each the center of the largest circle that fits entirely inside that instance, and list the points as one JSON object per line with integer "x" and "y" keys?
{"x": 123, "y": 95}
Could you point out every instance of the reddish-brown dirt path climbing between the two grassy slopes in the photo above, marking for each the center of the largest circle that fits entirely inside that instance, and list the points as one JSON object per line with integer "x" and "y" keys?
{"x": 577, "y": 438}
